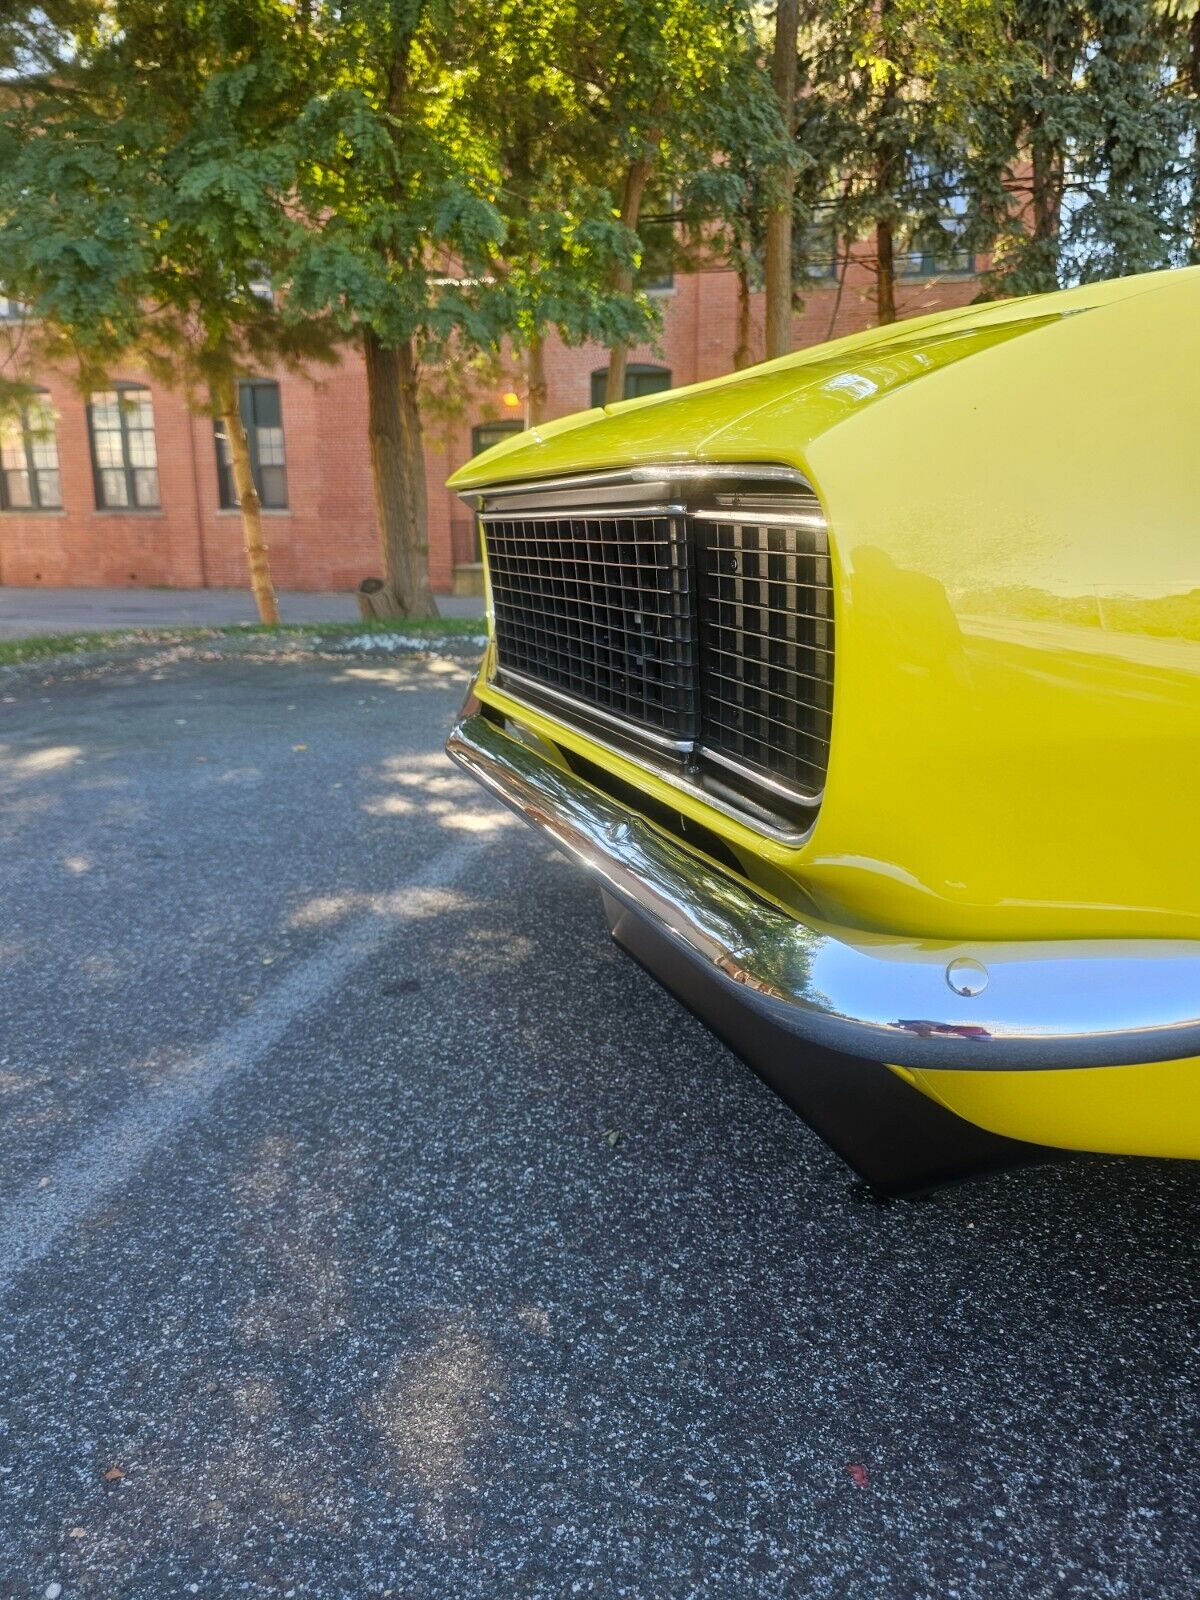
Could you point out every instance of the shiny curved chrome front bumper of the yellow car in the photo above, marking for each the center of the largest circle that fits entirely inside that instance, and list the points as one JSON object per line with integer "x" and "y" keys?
{"x": 1039, "y": 1006}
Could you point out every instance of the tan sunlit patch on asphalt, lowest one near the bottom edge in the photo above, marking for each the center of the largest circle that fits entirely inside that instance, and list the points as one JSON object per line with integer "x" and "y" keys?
{"x": 434, "y": 1412}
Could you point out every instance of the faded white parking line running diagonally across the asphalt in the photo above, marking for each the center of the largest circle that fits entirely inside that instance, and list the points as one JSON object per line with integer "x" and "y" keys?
{"x": 33, "y": 1223}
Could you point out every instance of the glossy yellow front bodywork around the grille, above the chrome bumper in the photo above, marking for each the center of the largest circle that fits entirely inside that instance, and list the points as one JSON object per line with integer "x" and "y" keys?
{"x": 1017, "y": 553}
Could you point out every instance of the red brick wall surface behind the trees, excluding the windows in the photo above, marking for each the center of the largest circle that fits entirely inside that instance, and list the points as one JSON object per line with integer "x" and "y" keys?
{"x": 327, "y": 537}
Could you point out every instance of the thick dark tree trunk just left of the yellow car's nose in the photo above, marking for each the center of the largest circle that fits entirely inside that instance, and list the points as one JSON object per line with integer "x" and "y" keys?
{"x": 399, "y": 470}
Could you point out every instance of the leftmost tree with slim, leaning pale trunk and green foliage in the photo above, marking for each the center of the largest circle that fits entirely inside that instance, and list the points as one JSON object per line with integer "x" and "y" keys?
{"x": 145, "y": 191}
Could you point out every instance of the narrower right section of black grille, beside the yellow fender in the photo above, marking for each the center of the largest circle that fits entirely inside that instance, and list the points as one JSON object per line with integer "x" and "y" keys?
{"x": 767, "y": 647}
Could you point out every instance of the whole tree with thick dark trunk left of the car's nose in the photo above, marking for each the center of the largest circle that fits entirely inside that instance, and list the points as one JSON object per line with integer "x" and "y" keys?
{"x": 428, "y": 228}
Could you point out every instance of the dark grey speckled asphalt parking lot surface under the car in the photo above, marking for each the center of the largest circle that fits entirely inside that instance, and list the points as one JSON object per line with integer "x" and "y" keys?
{"x": 370, "y": 1226}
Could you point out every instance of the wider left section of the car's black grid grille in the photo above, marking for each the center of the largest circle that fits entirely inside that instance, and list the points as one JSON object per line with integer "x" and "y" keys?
{"x": 601, "y": 609}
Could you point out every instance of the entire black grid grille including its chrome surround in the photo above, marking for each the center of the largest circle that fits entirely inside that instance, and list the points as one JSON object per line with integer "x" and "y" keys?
{"x": 682, "y": 615}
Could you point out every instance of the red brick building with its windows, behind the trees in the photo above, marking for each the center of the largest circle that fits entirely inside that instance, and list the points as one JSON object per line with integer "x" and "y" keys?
{"x": 135, "y": 490}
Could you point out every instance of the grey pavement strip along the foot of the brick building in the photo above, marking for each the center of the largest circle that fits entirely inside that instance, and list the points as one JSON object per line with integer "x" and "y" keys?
{"x": 26, "y": 612}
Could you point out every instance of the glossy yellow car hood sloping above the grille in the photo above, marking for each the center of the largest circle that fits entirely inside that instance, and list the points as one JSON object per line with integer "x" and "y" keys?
{"x": 775, "y": 412}
